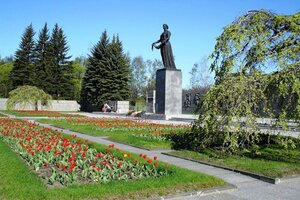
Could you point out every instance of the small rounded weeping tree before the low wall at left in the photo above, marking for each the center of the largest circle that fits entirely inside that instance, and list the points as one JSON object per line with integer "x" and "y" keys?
{"x": 25, "y": 95}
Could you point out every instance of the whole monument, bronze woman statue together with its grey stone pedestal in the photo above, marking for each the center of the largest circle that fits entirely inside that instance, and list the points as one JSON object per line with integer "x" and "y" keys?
{"x": 168, "y": 80}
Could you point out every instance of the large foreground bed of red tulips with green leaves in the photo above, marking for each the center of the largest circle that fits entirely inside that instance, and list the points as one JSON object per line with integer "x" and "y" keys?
{"x": 69, "y": 160}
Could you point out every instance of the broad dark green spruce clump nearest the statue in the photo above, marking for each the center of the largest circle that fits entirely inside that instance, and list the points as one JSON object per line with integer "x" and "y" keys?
{"x": 107, "y": 75}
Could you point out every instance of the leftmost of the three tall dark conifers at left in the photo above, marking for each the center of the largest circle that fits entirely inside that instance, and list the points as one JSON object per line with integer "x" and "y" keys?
{"x": 23, "y": 69}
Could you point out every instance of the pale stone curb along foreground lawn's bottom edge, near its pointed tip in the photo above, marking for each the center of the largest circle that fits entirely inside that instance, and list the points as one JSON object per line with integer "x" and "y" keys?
{"x": 199, "y": 193}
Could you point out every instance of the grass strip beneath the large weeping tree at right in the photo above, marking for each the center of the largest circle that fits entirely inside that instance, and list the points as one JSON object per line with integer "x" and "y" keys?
{"x": 271, "y": 162}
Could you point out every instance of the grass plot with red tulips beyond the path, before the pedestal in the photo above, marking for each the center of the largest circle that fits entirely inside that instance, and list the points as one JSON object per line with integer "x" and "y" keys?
{"x": 140, "y": 133}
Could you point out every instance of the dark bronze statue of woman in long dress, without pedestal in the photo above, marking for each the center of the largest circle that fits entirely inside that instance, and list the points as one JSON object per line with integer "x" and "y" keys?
{"x": 165, "y": 48}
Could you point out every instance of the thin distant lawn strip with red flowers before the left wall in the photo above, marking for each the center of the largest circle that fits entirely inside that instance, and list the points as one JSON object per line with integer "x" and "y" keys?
{"x": 39, "y": 113}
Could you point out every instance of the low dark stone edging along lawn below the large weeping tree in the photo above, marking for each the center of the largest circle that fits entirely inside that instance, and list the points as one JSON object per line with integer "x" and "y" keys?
{"x": 253, "y": 175}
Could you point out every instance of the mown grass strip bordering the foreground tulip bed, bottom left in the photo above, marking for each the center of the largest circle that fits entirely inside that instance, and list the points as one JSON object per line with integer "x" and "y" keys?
{"x": 18, "y": 182}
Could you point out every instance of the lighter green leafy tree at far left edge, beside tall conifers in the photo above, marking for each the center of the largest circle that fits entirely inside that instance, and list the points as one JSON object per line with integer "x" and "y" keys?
{"x": 5, "y": 83}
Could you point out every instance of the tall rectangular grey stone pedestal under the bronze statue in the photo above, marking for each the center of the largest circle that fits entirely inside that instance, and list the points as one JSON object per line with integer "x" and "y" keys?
{"x": 168, "y": 92}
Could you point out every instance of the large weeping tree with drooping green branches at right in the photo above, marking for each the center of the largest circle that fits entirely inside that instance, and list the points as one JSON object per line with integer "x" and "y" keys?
{"x": 256, "y": 61}
